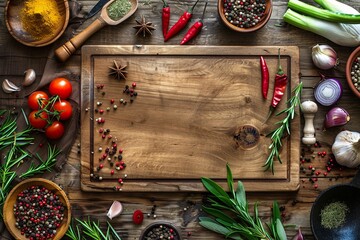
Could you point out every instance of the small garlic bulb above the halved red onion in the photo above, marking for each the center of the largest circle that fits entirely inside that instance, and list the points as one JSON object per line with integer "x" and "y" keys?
{"x": 324, "y": 56}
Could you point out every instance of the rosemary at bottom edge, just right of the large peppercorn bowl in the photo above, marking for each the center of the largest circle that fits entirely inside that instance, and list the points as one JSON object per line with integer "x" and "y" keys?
{"x": 88, "y": 229}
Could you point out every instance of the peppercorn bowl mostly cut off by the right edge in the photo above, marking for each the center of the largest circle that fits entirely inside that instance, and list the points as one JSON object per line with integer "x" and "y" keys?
{"x": 353, "y": 71}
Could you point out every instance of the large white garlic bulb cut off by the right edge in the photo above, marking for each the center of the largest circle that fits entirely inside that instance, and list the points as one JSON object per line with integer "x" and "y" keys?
{"x": 346, "y": 149}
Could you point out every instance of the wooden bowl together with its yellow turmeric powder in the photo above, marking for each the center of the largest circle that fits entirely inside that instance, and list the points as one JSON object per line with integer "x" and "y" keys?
{"x": 36, "y": 23}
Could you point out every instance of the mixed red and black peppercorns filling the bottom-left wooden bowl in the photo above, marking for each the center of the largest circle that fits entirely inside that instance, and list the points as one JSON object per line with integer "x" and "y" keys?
{"x": 38, "y": 212}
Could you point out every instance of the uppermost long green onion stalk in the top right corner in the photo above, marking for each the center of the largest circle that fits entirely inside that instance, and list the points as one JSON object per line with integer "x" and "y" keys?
{"x": 323, "y": 14}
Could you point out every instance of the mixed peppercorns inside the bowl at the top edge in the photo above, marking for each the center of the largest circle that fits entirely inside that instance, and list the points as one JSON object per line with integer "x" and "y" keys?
{"x": 244, "y": 13}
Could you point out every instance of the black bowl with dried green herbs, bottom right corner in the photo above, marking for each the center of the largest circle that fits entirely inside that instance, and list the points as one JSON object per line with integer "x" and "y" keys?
{"x": 334, "y": 214}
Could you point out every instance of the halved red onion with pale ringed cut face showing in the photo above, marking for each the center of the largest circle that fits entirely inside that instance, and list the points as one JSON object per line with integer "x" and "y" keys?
{"x": 328, "y": 91}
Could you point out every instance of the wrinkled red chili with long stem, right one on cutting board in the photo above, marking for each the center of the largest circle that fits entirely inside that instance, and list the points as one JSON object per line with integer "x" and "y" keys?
{"x": 279, "y": 88}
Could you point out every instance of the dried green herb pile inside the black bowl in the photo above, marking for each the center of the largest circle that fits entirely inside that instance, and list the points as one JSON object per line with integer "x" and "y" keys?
{"x": 333, "y": 215}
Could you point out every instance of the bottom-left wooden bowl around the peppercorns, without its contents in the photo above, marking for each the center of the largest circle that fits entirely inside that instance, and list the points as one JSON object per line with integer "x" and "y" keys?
{"x": 8, "y": 212}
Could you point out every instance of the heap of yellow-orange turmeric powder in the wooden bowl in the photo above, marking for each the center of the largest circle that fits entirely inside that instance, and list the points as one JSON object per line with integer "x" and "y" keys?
{"x": 40, "y": 18}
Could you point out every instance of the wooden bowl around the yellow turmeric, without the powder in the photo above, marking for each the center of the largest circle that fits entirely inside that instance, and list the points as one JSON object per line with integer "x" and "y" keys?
{"x": 16, "y": 29}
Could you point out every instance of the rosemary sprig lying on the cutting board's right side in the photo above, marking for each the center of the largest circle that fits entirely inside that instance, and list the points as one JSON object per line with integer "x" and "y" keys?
{"x": 284, "y": 127}
